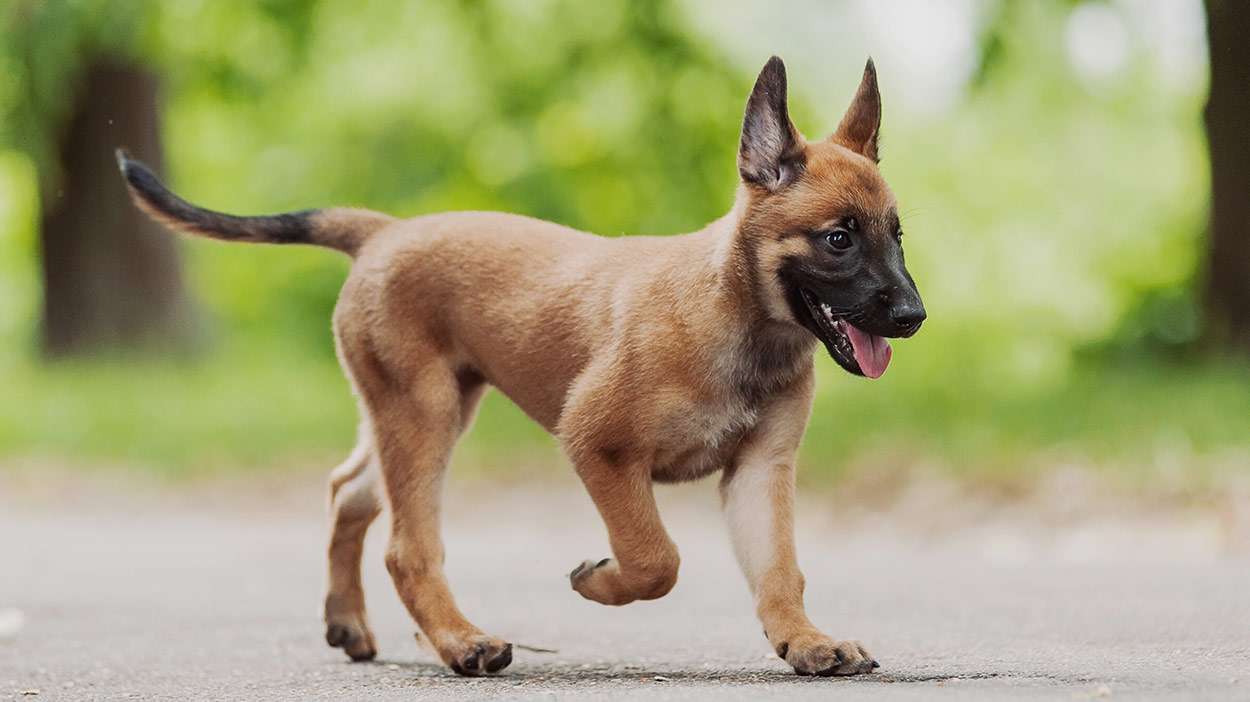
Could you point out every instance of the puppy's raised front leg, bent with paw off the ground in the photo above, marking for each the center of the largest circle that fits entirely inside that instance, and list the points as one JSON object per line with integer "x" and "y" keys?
{"x": 646, "y": 560}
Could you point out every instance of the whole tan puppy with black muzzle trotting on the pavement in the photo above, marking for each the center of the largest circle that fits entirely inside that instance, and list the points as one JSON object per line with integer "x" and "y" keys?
{"x": 652, "y": 360}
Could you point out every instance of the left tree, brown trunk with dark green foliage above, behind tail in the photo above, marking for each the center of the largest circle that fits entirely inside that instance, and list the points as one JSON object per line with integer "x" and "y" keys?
{"x": 112, "y": 279}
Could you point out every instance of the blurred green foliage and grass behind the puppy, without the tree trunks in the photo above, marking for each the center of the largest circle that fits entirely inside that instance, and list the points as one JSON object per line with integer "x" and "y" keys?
{"x": 1054, "y": 233}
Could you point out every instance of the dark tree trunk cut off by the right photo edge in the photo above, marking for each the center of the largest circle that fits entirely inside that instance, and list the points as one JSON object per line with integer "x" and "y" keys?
{"x": 1228, "y": 116}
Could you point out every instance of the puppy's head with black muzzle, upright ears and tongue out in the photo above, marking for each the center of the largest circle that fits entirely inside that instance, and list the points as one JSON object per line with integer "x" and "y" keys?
{"x": 823, "y": 228}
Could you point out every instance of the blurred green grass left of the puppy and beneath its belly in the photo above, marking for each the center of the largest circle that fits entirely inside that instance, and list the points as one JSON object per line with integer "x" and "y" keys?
{"x": 238, "y": 410}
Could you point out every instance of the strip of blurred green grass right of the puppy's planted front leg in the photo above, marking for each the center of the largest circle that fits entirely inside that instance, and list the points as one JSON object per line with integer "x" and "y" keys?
{"x": 1136, "y": 423}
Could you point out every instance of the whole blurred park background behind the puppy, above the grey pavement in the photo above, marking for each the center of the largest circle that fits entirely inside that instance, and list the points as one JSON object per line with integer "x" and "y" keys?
{"x": 1073, "y": 178}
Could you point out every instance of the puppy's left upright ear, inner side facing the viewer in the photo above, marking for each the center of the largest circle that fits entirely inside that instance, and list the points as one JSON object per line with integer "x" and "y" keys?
{"x": 771, "y": 153}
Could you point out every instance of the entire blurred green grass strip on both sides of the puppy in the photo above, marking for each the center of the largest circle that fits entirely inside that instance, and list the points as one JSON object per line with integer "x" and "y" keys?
{"x": 267, "y": 409}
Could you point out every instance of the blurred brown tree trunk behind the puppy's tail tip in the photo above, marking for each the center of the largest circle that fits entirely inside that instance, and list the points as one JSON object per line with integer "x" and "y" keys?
{"x": 112, "y": 278}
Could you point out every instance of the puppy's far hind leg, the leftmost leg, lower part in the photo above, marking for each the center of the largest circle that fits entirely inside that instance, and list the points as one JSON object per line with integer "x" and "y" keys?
{"x": 354, "y": 505}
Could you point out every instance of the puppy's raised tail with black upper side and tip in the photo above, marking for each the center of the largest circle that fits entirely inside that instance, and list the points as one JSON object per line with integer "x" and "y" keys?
{"x": 336, "y": 228}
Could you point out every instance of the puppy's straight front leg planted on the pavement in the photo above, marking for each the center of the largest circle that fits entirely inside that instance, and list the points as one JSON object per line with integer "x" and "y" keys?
{"x": 758, "y": 497}
